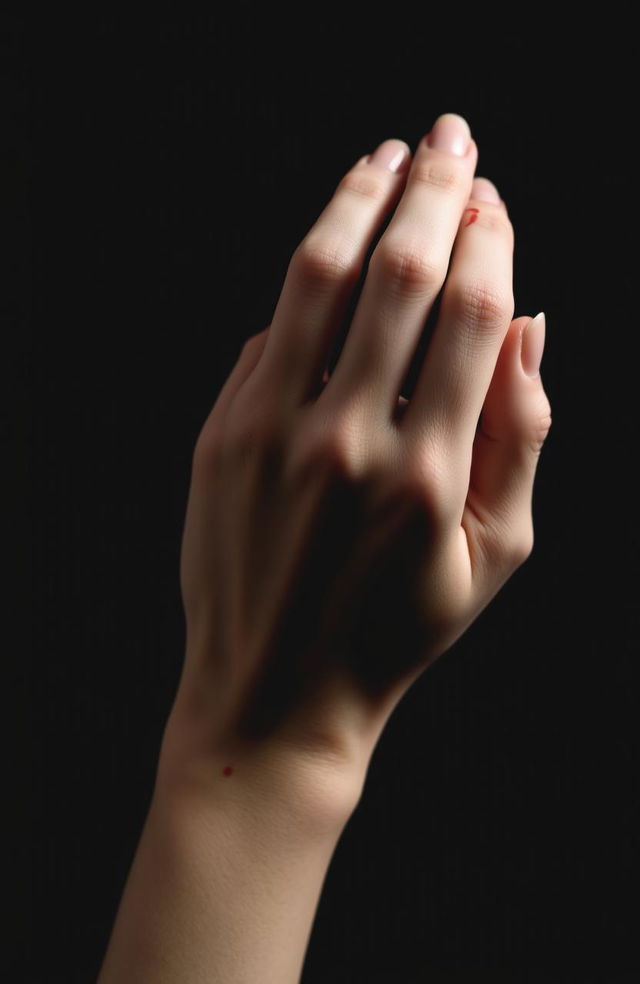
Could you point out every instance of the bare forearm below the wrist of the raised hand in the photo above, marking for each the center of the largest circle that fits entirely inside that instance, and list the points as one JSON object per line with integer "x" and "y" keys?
{"x": 225, "y": 882}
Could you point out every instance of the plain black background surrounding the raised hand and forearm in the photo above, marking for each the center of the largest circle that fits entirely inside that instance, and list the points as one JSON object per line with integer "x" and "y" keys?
{"x": 162, "y": 170}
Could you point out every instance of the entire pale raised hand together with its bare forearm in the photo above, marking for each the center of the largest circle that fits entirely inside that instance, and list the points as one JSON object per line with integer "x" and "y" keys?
{"x": 338, "y": 539}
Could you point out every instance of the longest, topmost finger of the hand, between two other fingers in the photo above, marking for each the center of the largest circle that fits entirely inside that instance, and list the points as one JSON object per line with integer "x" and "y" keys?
{"x": 407, "y": 268}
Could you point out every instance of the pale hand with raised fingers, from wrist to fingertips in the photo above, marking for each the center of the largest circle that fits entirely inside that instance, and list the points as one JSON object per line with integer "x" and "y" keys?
{"x": 339, "y": 538}
